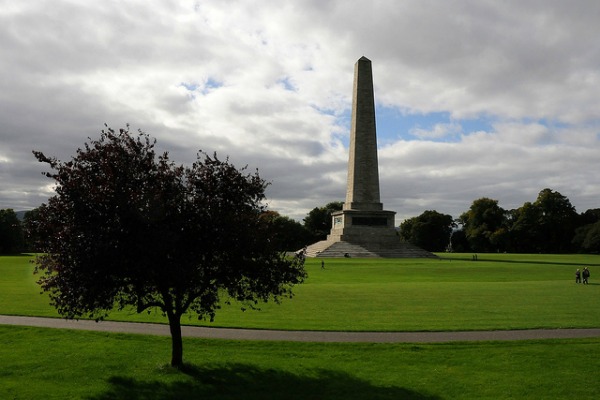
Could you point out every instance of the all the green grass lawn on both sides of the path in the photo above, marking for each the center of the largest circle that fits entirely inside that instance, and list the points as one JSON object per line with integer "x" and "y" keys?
{"x": 454, "y": 293}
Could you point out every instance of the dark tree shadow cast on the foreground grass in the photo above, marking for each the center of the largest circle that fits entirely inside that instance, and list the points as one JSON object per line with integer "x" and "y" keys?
{"x": 242, "y": 381}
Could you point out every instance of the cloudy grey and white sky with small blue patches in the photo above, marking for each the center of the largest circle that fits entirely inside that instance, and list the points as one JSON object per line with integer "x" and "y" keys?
{"x": 486, "y": 98}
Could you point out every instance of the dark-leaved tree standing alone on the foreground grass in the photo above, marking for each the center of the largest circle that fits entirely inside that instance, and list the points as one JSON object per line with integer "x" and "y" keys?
{"x": 128, "y": 228}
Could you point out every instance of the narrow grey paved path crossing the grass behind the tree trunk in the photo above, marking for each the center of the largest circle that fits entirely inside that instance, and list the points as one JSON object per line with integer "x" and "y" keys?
{"x": 302, "y": 336}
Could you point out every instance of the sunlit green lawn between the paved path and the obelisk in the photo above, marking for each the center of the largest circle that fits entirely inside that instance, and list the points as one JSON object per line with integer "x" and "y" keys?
{"x": 499, "y": 291}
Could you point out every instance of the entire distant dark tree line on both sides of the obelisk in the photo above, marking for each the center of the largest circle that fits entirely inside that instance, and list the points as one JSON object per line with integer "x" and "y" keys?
{"x": 548, "y": 225}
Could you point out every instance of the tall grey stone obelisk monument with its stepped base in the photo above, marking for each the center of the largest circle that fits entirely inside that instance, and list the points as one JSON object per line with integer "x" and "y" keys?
{"x": 363, "y": 228}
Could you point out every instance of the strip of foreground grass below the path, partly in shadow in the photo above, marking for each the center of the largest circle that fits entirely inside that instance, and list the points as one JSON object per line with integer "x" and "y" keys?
{"x": 59, "y": 364}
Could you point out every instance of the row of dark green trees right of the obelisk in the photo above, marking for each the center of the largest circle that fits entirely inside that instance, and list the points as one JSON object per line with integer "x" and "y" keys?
{"x": 550, "y": 224}
